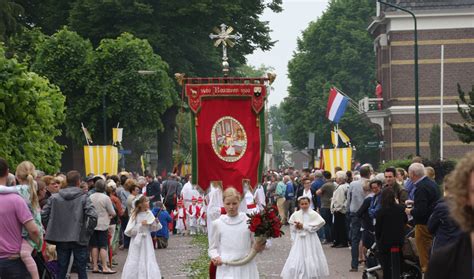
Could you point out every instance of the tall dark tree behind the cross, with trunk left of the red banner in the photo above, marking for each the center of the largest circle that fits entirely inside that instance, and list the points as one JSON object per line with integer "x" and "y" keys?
{"x": 178, "y": 31}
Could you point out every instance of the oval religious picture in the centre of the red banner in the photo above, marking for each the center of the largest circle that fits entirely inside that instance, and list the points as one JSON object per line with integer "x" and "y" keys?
{"x": 229, "y": 139}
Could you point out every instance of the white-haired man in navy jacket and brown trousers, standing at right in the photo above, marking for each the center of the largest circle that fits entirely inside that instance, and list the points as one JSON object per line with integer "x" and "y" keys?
{"x": 426, "y": 195}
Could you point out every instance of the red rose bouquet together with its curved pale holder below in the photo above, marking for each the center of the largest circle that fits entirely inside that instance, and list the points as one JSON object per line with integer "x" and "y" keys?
{"x": 265, "y": 224}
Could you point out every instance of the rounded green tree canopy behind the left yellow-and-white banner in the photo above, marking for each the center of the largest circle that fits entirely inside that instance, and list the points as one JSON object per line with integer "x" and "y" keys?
{"x": 134, "y": 100}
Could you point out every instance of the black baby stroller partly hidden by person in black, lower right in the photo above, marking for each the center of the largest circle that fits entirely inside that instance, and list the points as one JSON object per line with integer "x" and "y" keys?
{"x": 410, "y": 268}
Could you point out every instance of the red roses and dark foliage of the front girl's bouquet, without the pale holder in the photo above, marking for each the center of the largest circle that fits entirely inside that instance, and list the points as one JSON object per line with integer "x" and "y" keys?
{"x": 266, "y": 223}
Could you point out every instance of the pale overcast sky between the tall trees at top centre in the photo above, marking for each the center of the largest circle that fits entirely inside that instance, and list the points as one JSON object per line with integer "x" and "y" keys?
{"x": 287, "y": 27}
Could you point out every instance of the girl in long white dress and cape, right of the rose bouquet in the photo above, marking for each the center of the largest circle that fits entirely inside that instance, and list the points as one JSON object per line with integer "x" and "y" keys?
{"x": 306, "y": 259}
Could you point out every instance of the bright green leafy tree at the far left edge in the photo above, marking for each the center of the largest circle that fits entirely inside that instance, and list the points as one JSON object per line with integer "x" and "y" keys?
{"x": 31, "y": 109}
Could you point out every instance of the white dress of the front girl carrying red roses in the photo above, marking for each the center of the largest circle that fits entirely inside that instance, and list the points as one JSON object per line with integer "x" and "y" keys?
{"x": 232, "y": 240}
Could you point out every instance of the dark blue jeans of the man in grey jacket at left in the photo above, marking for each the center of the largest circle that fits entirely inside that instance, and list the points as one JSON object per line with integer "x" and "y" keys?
{"x": 64, "y": 250}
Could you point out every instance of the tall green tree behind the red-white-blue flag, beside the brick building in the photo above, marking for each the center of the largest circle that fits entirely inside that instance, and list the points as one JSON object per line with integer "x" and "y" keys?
{"x": 335, "y": 50}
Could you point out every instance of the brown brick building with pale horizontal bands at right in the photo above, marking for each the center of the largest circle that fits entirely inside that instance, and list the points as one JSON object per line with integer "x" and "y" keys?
{"x": 449, "y": 23}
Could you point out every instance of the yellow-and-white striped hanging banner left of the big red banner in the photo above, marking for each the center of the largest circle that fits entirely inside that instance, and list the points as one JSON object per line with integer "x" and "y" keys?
{"x": 101, "y": 158}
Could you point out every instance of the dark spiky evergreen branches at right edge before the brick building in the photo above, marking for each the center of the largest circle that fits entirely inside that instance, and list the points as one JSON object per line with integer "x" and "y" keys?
{"x": 465, "y": 131}
